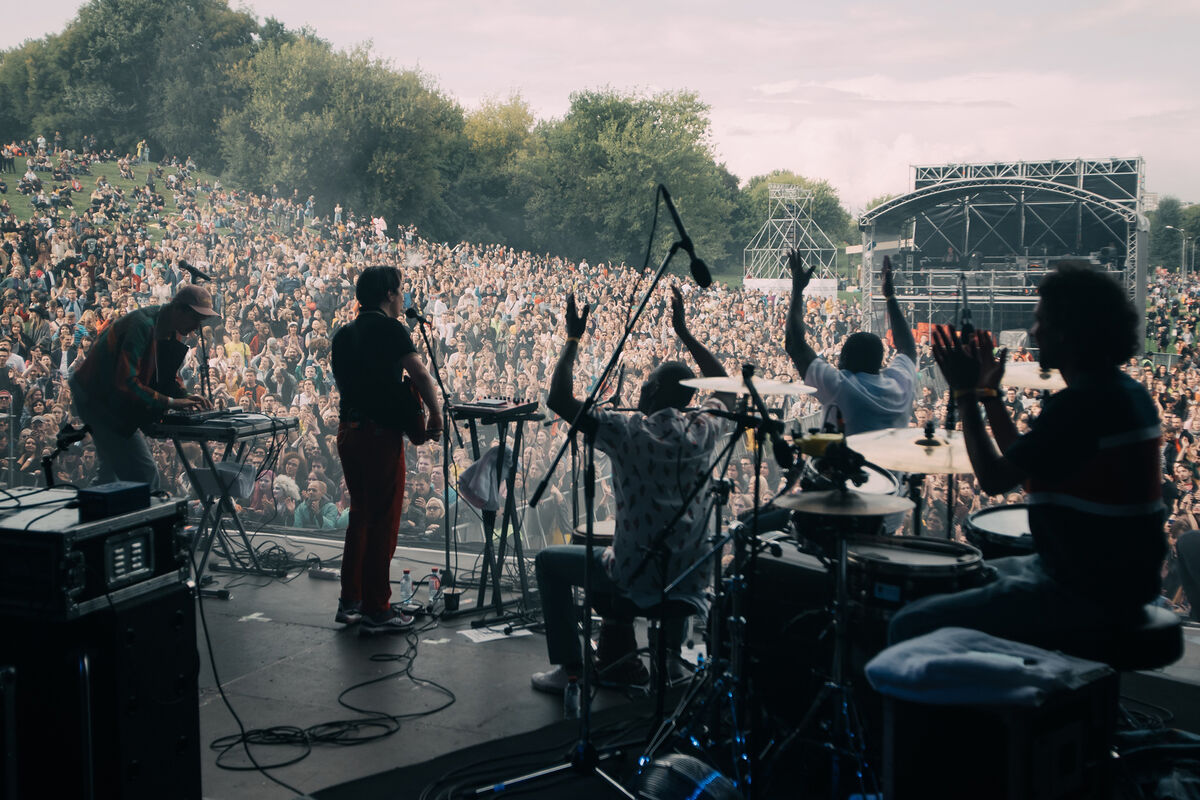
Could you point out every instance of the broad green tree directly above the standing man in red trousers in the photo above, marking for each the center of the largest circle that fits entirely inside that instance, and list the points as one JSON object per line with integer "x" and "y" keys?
{"x": 345, "y": 128}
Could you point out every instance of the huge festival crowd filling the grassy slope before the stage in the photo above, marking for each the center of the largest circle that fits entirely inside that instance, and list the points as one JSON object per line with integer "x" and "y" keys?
{"x": 283, "y": 275}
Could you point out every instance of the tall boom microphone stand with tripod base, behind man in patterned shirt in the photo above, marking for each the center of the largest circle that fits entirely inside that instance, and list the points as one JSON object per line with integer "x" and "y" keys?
{"x": 584, "y": 757}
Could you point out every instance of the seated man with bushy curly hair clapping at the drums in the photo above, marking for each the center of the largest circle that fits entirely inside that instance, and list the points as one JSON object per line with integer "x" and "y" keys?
{"x": 1091, "y": 468}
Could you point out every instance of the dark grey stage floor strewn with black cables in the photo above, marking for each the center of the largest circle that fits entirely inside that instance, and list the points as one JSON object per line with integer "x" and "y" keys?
{"x": 284, "y": 663}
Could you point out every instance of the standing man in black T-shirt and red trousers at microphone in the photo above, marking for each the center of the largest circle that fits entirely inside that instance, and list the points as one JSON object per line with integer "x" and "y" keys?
{"x": 370, "y": 358}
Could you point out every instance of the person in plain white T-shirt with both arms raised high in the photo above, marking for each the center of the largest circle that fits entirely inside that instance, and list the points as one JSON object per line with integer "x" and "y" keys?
{"x": 867, "y": 396}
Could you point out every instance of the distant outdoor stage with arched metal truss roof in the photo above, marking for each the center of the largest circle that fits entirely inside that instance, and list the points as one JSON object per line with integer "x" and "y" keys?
{"x": 1004, "y": 226}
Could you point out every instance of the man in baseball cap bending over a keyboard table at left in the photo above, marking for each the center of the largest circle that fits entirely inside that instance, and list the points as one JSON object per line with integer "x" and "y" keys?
{"x": 129, "y": 381}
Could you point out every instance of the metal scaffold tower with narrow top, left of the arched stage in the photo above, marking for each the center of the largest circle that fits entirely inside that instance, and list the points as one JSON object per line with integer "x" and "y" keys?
{"x": 790, "y": 226}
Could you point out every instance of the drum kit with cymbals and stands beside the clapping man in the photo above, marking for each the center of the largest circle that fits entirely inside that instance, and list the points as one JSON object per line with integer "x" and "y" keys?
{"x": 839, "y": 581}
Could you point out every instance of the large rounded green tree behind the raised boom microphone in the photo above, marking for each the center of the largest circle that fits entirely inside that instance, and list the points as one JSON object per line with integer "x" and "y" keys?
{"x": 592, "y": 178}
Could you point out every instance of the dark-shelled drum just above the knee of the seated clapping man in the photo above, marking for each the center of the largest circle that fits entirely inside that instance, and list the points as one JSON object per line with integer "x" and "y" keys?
{"x": 887, "y": 574}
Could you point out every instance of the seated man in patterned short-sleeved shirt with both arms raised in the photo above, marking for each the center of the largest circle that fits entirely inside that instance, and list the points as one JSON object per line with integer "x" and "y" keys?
{"x": 658, "y": 455}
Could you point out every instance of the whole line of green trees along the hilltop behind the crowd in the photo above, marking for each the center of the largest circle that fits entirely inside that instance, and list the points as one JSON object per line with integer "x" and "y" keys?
{"x": 266, "y": 106}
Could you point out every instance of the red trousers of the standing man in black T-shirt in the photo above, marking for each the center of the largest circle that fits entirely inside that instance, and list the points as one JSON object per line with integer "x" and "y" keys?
{"x": 374, "y": 465}
